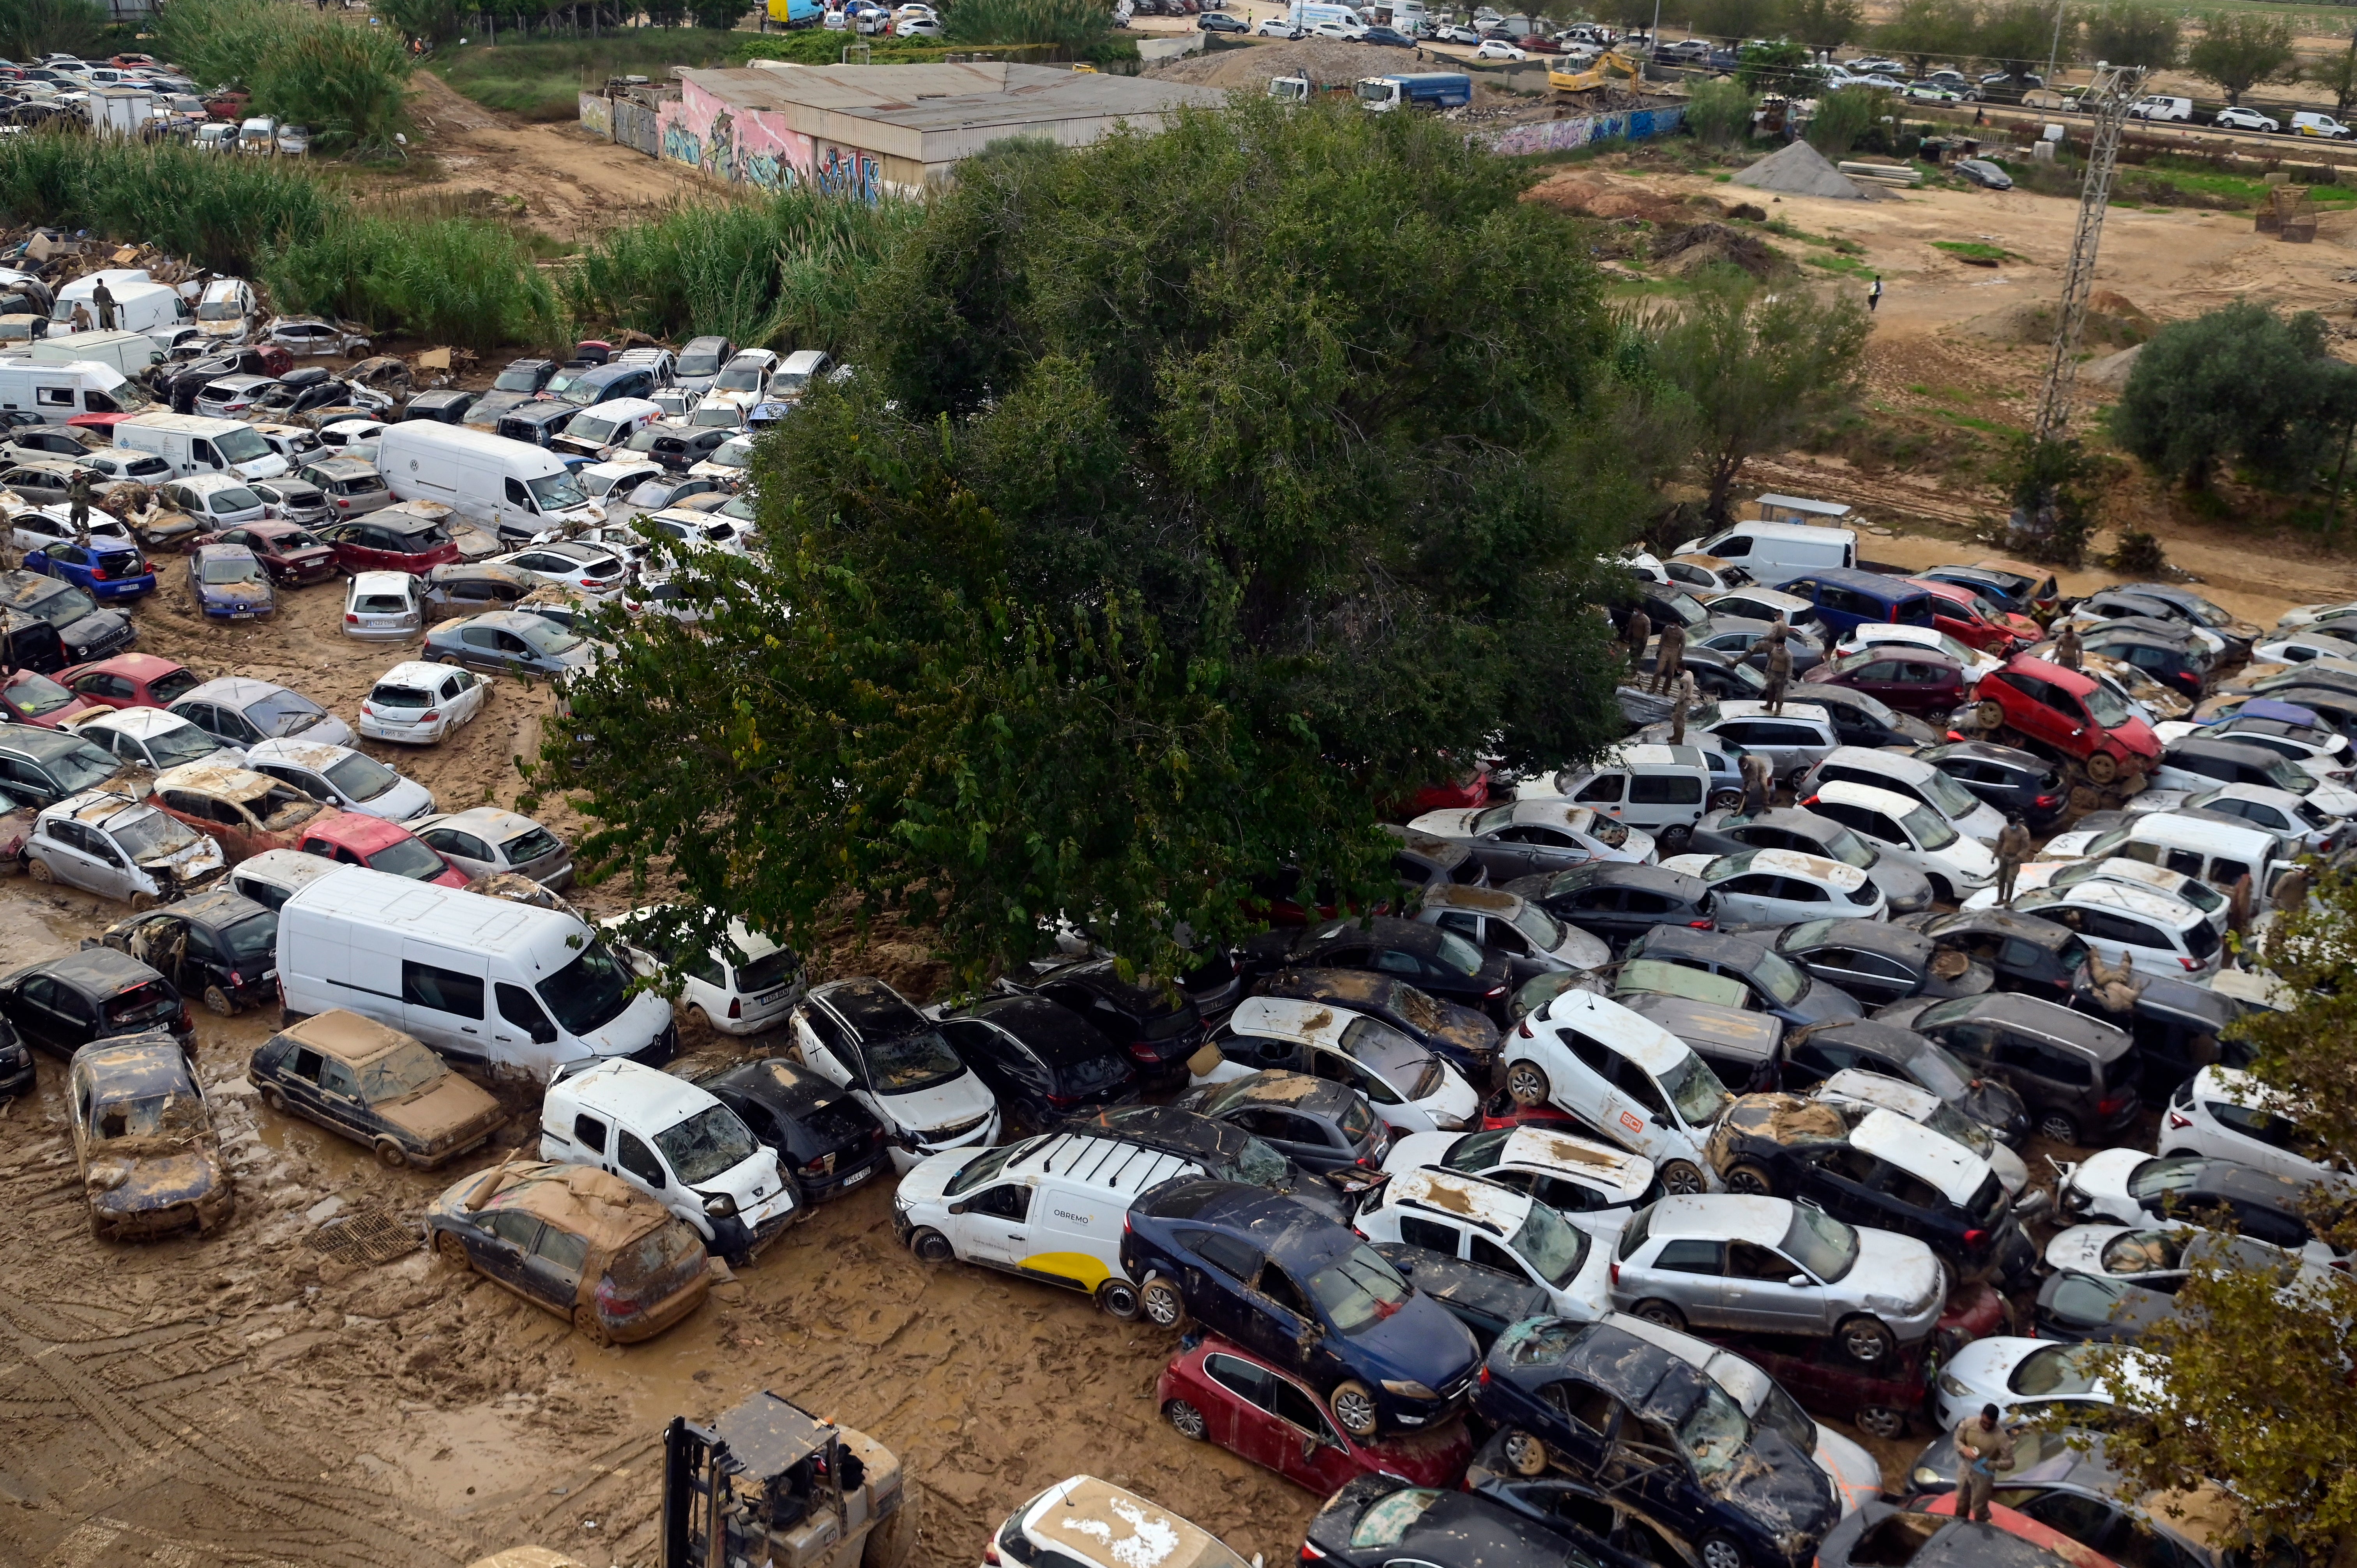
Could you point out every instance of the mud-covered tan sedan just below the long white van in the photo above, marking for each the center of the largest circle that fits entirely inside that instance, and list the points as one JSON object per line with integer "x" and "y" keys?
{"x": 374, "y": 1086}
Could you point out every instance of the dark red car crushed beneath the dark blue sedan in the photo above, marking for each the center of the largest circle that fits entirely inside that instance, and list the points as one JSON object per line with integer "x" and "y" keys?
{"x": 1229, "y": 1397}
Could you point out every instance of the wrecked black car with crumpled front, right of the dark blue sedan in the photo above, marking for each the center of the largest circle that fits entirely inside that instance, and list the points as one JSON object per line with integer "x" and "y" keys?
{"x": 1592, "y": 1399}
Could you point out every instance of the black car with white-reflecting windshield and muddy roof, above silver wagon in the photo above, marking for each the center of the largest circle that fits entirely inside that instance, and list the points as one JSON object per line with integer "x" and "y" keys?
{"x": 1868, "y": 1168}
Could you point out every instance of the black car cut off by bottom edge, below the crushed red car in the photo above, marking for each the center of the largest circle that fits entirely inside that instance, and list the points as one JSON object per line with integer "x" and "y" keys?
{"x": 1382, "y": 1520}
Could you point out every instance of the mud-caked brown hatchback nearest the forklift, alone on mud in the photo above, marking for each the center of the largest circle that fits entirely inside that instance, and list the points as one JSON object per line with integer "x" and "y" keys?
{"x": 576, "y": 1241}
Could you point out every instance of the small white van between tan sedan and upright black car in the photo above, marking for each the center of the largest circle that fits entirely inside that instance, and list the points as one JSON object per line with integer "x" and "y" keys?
{"x": 675, "y": 1142}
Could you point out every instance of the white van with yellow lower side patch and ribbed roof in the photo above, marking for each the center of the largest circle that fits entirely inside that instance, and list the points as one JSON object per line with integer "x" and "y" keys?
{"x": 1050, "y": 1208}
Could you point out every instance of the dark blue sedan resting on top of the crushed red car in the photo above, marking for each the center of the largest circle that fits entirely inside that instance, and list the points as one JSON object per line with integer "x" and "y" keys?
{"x": 1307, "y": 1293}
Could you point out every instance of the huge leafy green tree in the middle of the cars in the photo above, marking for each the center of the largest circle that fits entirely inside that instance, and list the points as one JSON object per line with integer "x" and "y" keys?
{"x": 1187, "y": 503}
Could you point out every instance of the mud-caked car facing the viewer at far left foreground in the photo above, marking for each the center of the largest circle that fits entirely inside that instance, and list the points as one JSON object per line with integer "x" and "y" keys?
{"x": 145, "y": 1142}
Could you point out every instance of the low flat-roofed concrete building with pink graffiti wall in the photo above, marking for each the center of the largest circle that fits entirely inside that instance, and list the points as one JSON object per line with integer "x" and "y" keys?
{"x": 866, "y": 131}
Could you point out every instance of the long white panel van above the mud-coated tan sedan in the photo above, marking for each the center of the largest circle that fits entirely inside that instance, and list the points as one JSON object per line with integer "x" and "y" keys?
{"x": 503, "y": 984}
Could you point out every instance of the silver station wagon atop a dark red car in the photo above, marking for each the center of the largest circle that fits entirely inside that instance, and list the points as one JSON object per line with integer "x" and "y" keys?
{"x": 1774, "y": 1267}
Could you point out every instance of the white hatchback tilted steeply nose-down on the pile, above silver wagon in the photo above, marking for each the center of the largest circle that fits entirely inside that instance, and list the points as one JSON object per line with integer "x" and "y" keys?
{"x": 1625, "y": 1076}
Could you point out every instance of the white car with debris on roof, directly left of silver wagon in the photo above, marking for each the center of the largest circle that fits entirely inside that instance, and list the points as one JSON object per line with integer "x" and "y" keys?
{"x": 1496, "y": 1227}
